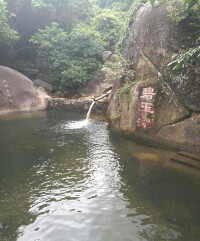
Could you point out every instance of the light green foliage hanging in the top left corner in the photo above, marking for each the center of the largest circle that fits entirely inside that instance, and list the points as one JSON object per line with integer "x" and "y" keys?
{"x": 7, "y": 34}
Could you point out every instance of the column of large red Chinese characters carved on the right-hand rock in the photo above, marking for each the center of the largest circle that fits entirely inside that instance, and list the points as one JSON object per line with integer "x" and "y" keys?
{"x": 146, "y": 108}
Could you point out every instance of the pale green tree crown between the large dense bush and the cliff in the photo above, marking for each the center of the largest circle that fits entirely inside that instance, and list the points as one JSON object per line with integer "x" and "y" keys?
{"x": 108, "y": 23}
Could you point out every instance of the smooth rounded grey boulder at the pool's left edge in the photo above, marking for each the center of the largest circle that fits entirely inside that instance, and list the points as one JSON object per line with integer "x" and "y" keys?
{"x": 17, "y": 93}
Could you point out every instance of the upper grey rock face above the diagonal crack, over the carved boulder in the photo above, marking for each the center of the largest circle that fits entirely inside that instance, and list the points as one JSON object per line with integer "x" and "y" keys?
{"x": 158, "y": 38}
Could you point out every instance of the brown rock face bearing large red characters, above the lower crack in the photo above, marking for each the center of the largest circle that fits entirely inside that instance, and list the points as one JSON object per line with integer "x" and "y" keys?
{"x": 146, "y": 112}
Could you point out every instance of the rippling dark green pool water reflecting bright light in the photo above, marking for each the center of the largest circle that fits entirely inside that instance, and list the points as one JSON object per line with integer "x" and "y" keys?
{"x": 62, "y": 179}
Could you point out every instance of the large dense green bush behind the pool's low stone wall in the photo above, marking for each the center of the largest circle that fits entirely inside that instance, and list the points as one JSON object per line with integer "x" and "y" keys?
{"x": 72, "y": 59}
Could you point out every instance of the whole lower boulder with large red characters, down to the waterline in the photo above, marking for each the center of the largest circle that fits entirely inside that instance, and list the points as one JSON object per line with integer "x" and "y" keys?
{"x": 153, "y": 117}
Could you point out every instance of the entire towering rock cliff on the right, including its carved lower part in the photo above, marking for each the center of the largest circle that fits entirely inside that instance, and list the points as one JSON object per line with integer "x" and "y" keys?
{"x": 164, "y": 104}
